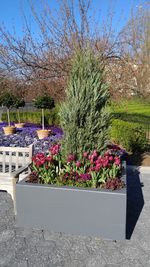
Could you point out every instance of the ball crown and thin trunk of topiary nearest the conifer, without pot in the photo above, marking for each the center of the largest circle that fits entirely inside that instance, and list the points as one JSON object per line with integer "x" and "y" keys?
{"x": 44, "y": 102}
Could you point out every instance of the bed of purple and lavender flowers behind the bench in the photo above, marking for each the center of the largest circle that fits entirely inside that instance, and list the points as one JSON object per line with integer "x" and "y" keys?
{"x": 27, "y": 135}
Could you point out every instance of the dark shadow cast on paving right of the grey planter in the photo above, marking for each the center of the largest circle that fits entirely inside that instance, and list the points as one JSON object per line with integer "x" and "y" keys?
{"x": 135, "y": 201}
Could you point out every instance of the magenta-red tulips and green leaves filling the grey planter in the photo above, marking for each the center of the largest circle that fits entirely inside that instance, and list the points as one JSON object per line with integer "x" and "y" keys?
{"x": 91, "y": 170}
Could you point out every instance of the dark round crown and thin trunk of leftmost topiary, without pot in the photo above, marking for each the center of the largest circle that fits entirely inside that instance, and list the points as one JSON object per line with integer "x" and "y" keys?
{"x": 7, "y": 100}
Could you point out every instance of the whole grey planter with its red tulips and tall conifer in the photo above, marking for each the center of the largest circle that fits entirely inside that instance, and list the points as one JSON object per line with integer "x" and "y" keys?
{"x": 76, "y": 181}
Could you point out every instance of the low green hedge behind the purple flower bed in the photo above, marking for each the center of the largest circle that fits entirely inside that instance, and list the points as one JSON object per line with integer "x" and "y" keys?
{"x": 51, "y": 117}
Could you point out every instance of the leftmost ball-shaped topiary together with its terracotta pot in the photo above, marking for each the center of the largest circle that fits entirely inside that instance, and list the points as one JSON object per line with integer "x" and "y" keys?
{"x": 8, "y": 100}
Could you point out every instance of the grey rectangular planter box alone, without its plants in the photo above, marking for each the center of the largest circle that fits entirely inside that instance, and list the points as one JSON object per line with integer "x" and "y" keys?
{"x": 100, "y": 213}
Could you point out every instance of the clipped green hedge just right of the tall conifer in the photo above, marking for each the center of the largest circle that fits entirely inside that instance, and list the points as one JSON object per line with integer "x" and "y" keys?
{"x": 131, "y": 136}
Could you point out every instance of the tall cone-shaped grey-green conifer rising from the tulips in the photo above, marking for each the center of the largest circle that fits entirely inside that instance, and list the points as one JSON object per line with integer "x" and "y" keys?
{"x": 84, "y": 115}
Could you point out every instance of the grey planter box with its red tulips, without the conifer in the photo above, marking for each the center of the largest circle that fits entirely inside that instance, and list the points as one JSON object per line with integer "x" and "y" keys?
{"x": 86, "y": 196}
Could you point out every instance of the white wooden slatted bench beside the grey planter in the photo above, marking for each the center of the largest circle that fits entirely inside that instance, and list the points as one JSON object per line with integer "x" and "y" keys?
{"x": 13, "y": 161}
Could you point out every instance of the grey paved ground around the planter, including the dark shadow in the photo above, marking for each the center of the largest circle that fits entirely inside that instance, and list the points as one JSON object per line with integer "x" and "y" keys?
{"x": 36, "y": 248}
